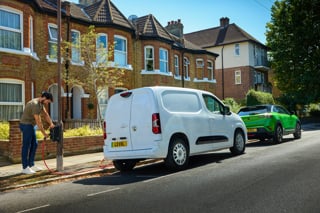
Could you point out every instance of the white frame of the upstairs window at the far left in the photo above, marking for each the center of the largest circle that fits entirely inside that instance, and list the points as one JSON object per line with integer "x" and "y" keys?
{"x": 13, "y": 30}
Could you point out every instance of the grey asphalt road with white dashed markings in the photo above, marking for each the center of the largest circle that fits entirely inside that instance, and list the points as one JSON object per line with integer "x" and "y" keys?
{"x": 267, "y": 178}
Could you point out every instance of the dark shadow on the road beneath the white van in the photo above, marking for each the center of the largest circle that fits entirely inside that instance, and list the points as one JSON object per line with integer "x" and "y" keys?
{"x": 151, "y": 171}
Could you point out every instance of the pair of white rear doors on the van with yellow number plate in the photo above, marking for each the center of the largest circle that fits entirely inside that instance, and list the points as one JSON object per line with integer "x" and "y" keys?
{"x": 129, "y": 121}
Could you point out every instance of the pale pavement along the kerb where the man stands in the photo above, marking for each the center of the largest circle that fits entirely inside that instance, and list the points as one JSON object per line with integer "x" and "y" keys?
{"x": 73, "y": 166}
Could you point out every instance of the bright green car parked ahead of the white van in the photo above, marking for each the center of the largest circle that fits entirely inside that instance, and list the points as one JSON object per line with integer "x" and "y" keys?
{"x": 270, "y": 122}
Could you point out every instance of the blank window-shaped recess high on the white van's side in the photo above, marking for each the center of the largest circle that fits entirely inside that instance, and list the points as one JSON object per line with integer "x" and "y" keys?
{"x": 178, "y": 101}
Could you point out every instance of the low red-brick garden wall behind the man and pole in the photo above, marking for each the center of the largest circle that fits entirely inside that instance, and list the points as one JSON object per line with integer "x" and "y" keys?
{"x": 71, "y": 146}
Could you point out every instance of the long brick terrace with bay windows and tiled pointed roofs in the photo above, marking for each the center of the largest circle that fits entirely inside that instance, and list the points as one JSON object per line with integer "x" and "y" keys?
{"x": 150, "y": 54}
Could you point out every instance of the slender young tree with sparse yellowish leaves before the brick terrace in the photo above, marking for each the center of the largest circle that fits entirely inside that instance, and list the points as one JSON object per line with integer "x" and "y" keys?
{"x": 97, "y": 71}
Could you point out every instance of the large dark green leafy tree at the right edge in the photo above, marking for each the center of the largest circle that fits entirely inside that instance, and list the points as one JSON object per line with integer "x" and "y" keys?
{"x": 293, "y": 35}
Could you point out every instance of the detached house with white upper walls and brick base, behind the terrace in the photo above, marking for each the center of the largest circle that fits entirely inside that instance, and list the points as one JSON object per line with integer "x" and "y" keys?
{"x": 242, "y": 64}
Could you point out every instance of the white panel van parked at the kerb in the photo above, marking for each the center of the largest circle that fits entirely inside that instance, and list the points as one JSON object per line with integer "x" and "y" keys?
{"x": 169, "y": 123}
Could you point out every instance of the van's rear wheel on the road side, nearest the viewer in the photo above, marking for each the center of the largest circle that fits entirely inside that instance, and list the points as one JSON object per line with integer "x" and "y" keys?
{"x": 178, "y": 154}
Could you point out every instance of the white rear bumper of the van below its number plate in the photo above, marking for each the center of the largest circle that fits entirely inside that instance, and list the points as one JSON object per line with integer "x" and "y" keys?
{"x": 133, "y": 154}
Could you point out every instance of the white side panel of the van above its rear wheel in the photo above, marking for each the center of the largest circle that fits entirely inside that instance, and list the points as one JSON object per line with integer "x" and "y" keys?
{"x": 182, "y": 112}
